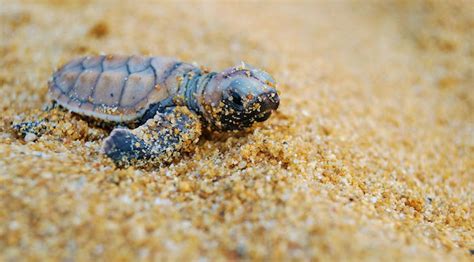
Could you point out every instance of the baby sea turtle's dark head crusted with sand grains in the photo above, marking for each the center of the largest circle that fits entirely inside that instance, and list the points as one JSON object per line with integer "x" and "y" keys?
{"x": 239, "y": 96}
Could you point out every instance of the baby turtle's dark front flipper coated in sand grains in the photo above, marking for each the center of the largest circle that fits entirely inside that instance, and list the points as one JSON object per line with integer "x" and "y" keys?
{"x": 159, "y": 140}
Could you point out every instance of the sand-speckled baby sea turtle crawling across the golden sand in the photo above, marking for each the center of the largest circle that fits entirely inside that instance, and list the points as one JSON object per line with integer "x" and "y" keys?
{"x": 167, "y": 100}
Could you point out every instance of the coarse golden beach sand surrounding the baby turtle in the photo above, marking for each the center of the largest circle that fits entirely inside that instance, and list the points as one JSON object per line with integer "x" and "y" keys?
{"x": 370, "y": 156}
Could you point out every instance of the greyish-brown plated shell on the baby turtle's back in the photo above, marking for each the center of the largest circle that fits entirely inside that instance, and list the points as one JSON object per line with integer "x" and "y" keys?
{"x": 113, "y": 88}
